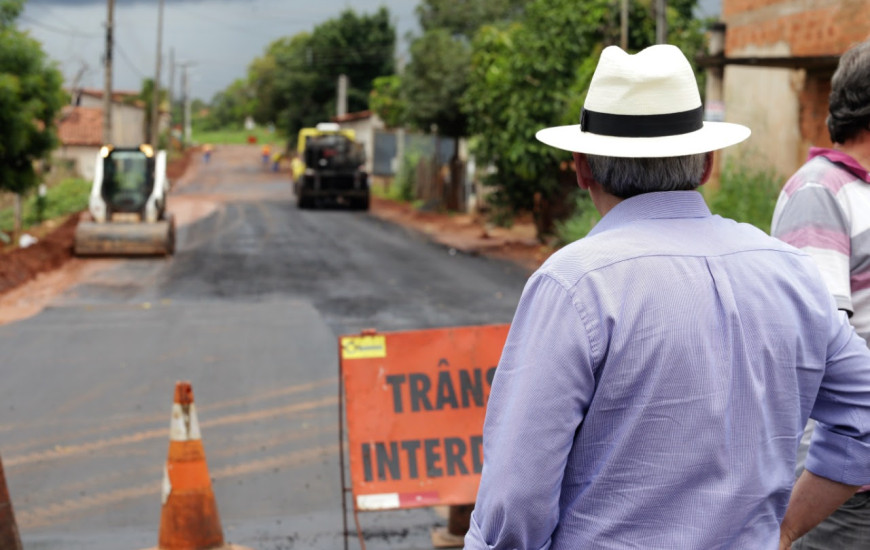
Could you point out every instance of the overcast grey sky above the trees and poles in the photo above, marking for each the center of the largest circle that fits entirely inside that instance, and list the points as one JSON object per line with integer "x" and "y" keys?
{"x": 216, "y": 38}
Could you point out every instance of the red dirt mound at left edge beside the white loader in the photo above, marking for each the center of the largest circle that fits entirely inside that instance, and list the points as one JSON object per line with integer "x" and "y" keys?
{"x": 50, "y": 252}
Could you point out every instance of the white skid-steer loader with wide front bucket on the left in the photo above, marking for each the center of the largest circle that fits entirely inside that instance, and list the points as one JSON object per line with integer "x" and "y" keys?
{"x": 127, "y": 206}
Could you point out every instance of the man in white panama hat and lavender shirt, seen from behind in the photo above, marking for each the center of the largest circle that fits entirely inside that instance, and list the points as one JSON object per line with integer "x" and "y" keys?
{"x": 658, "y": 373}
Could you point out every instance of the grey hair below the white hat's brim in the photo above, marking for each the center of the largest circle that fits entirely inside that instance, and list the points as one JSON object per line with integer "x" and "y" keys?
{"x": 627, "y": 177}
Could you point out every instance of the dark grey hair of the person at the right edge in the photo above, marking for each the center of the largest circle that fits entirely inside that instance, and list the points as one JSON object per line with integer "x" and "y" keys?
{"x": 849, "y": 102}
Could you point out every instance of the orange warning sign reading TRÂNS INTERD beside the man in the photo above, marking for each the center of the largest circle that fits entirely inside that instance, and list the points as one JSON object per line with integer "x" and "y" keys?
{"x": 415, "y": 407}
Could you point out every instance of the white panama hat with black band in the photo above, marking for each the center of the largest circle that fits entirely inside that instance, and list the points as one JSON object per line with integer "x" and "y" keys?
{"x": 643, "y": 105}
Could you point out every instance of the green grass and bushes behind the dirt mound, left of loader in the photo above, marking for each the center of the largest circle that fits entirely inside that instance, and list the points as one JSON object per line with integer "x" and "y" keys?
{"x": 67, "y": 197}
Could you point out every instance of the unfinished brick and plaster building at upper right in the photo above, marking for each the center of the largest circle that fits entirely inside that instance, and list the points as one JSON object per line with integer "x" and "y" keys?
{"x": 779, "y": 56}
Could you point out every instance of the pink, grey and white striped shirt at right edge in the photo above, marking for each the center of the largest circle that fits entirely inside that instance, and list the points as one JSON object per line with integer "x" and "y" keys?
{"x": 824, "y": 209}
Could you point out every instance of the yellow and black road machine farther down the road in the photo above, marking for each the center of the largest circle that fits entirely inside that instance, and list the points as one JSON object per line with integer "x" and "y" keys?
{"x": 328, "y": 168}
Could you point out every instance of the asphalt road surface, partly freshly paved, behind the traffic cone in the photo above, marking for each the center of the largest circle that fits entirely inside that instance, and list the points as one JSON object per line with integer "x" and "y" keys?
{"x": 249, "y": 310}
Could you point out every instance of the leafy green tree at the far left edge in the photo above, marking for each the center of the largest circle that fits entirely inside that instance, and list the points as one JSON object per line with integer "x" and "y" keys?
{"x": 30, "y": 99}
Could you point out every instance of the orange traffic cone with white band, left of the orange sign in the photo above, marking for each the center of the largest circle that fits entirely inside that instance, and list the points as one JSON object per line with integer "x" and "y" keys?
{"x": 189, "y": 519}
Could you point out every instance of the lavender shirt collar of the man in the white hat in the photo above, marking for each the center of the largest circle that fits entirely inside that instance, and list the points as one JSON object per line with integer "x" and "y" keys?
{"x": 657, "y": 205}
